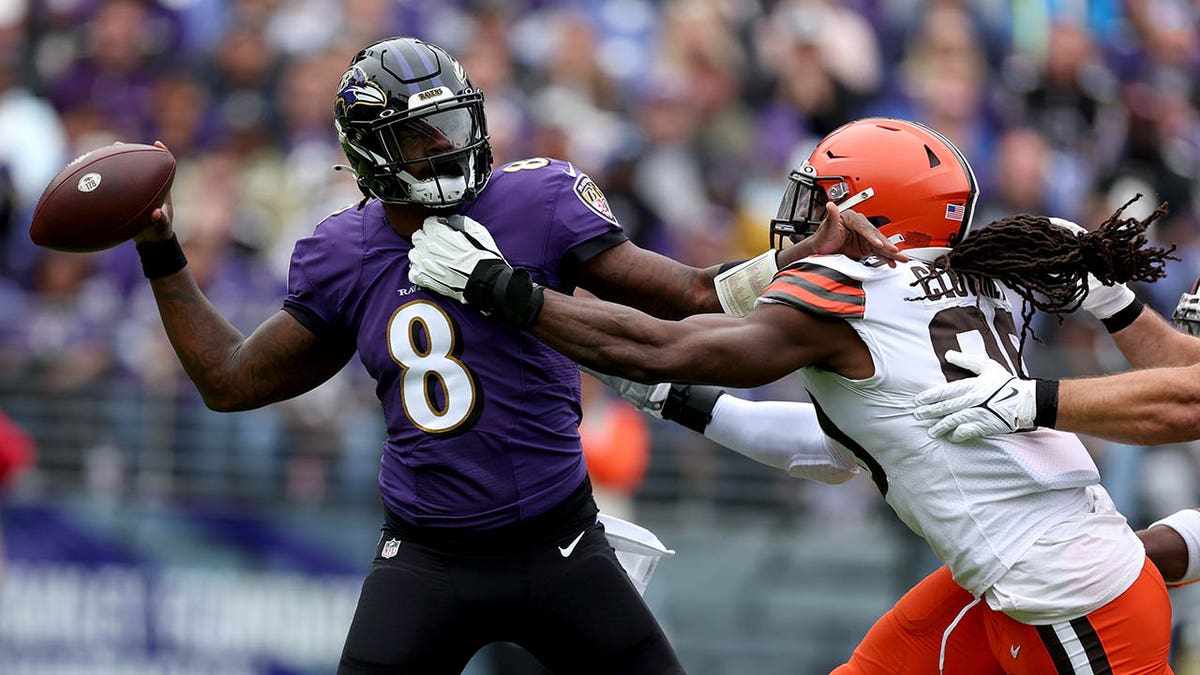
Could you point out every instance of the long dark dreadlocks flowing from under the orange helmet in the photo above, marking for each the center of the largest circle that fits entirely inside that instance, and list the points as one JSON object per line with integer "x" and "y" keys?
{"x": 1048, "y": 266}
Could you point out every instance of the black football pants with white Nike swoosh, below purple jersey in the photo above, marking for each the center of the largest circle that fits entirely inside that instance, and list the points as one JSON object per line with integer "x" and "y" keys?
{"x": 428, "y": 612}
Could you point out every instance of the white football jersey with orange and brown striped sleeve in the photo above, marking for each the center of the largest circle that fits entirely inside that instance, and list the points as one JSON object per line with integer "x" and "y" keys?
{"x": 982, "y": 505}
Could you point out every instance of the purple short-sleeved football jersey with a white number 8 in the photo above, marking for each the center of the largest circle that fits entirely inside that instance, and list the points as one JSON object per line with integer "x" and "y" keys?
{"x": 483, "y": 420}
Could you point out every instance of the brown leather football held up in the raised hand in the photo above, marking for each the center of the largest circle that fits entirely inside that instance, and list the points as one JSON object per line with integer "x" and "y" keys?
{"x": 103, "y": 199}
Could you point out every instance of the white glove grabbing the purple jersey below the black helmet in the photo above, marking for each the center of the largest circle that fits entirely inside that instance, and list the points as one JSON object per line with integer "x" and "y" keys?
{"x": 446, "y": 252}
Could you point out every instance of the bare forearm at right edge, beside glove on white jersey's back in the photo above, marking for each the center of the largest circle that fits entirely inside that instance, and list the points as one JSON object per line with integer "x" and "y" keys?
{"x": 1144, "y": 407}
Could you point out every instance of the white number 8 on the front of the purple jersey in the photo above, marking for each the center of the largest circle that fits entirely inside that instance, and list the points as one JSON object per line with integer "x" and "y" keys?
{"x": 428, "y": 345}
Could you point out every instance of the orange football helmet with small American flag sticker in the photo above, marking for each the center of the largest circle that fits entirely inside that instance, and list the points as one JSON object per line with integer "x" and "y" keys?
{"x": 908, "y": 180}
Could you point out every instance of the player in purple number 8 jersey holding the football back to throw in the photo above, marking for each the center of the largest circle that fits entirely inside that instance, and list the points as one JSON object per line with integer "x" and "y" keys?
{"x": 490, "y": 528}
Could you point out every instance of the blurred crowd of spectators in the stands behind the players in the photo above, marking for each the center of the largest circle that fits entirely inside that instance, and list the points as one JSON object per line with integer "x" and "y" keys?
{"x": 688, "y": 114}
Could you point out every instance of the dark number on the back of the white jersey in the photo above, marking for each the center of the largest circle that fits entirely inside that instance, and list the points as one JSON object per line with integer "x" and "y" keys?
{"x": 950, "y": 328}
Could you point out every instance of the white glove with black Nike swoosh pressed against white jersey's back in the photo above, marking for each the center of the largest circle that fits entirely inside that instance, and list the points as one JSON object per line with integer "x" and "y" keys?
{"x": 994, "y": 403}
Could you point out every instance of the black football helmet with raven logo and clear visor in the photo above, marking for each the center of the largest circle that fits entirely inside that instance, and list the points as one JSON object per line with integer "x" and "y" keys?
{"x": 412, "y": 126}
